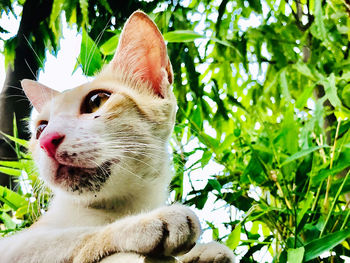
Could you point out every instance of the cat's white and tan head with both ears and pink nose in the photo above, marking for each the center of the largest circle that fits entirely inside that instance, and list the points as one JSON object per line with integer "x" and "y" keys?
{"x": 109, "y": 135}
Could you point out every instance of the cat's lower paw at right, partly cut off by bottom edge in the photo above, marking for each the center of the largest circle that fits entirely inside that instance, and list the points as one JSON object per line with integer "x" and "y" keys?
{"x": 208, "y": 253}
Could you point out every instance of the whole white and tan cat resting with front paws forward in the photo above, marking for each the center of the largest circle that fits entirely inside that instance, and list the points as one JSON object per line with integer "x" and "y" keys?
{"x": 102, "y": 148}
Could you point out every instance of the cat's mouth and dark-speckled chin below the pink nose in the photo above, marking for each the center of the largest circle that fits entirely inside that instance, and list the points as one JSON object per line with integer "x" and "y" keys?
{"x": 81, "y": 179}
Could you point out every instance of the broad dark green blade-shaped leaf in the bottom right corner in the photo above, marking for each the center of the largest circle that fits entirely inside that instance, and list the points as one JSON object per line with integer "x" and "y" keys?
{"x": 318, "y": 246}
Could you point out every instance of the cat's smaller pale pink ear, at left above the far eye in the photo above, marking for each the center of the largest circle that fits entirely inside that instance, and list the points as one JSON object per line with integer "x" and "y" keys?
{"x": 37, "y": 93}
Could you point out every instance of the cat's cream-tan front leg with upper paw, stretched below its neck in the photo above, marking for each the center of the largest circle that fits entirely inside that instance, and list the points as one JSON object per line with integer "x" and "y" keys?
{"x": 167, "y": 231}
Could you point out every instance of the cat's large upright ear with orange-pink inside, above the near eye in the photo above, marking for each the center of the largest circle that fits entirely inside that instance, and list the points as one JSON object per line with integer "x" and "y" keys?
{"x": 142, "y": 52}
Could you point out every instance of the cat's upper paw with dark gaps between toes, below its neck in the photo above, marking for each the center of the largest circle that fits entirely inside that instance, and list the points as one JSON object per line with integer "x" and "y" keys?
{"x": 167, "y": 231}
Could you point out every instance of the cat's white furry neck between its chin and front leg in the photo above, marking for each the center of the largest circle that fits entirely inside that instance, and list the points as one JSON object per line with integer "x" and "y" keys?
{"x": 67, "y": 212}
